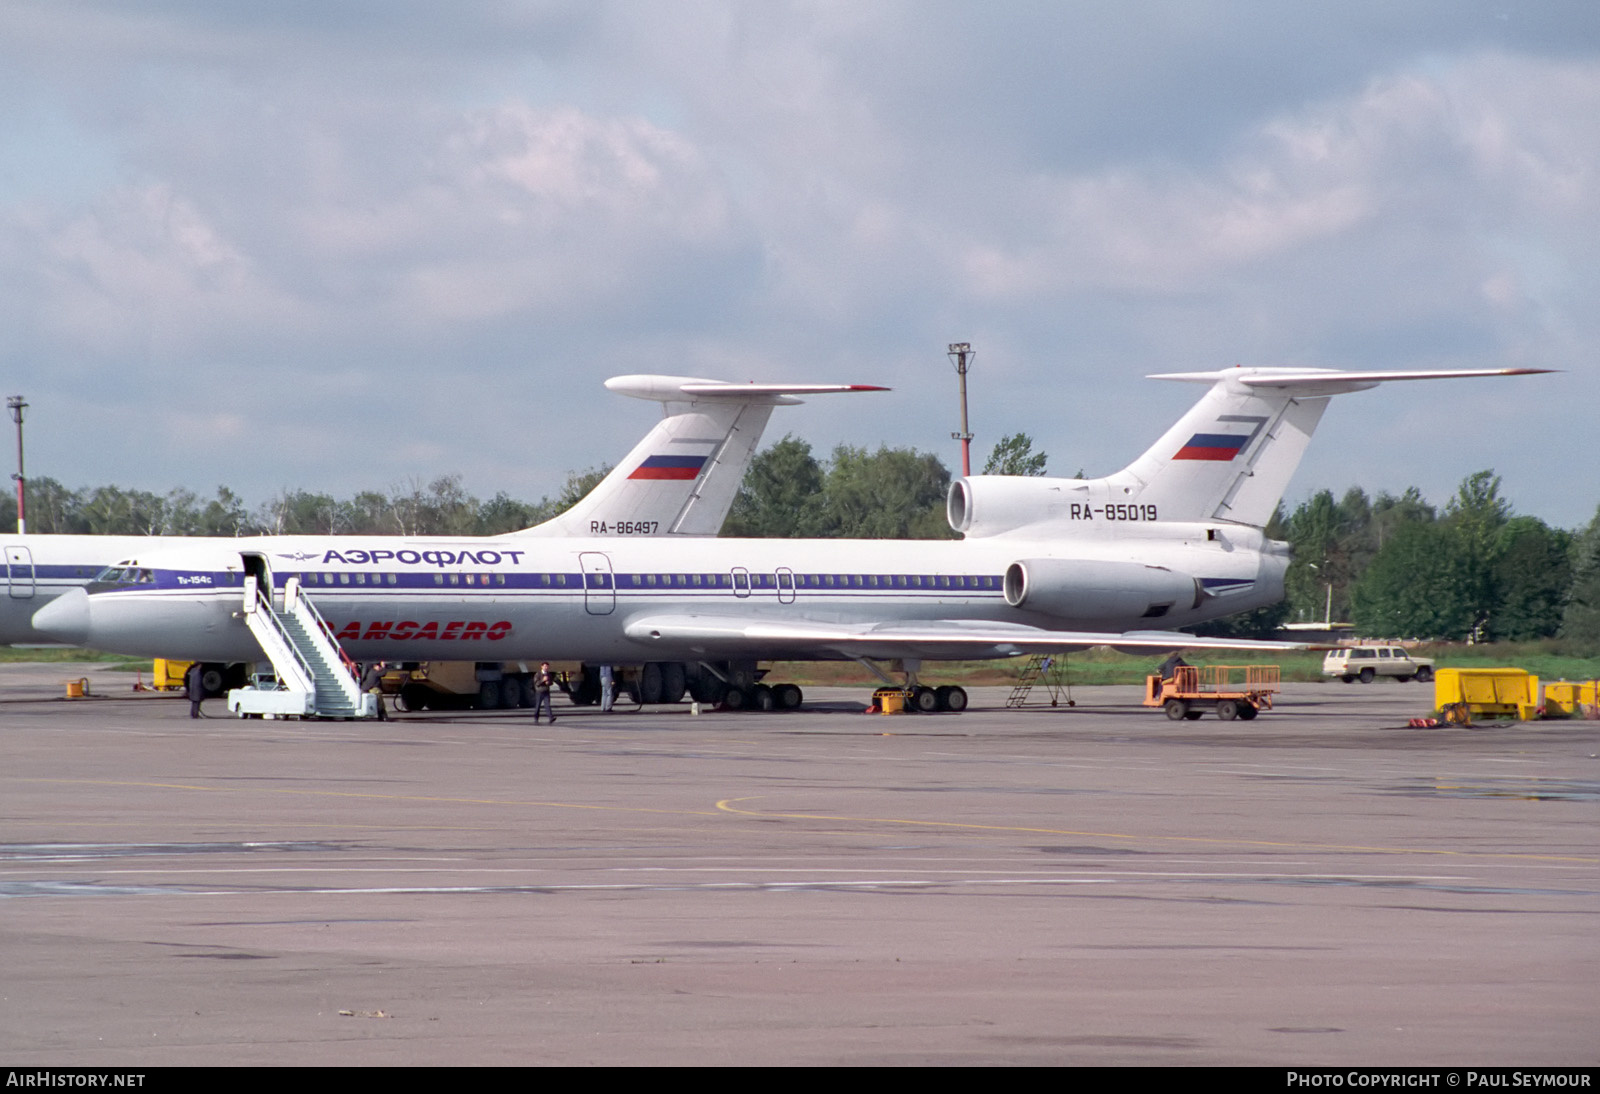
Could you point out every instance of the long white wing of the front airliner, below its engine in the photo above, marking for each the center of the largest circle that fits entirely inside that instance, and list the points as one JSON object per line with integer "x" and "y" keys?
{"x": 769, "y": 639}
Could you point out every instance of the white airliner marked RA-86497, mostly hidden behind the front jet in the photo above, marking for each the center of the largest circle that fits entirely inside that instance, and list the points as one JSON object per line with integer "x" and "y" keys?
{"x": 679, "y": 481}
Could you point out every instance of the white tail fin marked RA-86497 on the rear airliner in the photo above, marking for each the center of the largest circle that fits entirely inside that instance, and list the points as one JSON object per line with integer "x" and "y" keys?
{"x": 682, "y": 477}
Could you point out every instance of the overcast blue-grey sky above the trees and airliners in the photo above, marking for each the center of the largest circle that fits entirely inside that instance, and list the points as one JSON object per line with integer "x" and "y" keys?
{"x": 340, "y": 246}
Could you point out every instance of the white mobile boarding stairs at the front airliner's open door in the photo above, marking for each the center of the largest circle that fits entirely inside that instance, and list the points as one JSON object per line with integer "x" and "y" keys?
{"x": 313, "y": 677}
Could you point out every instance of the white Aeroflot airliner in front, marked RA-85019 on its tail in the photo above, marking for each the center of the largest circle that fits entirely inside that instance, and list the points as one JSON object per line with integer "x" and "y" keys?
{"x": 1046, "y": 564}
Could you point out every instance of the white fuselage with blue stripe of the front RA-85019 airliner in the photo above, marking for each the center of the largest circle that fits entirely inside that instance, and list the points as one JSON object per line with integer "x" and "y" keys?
{"x": 594, "y": 599}
